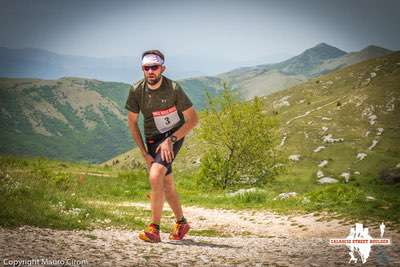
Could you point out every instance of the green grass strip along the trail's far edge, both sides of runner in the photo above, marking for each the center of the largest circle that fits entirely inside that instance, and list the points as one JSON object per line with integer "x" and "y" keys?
{"x": 36, "y": 192}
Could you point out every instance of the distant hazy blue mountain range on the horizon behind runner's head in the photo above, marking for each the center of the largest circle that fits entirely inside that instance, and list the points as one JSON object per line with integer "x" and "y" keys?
{"x": 43, "y": 64}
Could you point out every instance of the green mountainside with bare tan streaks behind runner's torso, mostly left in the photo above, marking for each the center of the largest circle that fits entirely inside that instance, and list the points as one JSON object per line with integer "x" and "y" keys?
{"x": 73, "y": 118}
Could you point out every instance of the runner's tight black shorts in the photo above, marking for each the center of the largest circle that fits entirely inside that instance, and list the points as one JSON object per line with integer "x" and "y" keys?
{"x": 153, "y": 142}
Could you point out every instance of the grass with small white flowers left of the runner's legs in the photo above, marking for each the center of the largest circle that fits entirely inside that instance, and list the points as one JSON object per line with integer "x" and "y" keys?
{"x": 34, "y": 192}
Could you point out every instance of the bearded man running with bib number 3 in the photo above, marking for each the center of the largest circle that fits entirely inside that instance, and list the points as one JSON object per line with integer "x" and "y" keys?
{"x": 168, "y": 117}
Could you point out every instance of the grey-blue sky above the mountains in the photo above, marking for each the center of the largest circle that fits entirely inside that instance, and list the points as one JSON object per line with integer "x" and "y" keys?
{"x": 249, "y": 31}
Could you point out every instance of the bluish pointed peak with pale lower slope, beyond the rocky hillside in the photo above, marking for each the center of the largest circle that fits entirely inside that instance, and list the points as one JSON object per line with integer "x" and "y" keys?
{"x": 265, "y": 79}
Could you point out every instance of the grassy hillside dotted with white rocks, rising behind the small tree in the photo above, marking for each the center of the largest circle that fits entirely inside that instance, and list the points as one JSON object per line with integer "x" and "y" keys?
{"x": 348, "y": 119}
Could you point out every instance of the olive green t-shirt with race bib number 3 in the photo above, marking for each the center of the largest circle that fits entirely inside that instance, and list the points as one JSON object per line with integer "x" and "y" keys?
{"x": 161, "y": 108}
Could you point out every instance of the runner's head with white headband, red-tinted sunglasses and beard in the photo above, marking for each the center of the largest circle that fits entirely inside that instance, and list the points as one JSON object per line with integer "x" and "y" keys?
{"x": 152, "y": 66}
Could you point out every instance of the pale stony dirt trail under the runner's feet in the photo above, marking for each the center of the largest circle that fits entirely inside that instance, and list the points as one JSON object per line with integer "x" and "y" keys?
{"x": 253, "y": 239}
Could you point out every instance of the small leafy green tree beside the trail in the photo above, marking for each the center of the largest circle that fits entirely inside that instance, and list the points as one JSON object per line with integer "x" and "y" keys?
{"x": 240, "y": 142}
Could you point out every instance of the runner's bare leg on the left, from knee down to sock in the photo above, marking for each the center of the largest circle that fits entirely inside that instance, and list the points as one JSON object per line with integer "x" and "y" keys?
{"x": 156, "y": 178}
